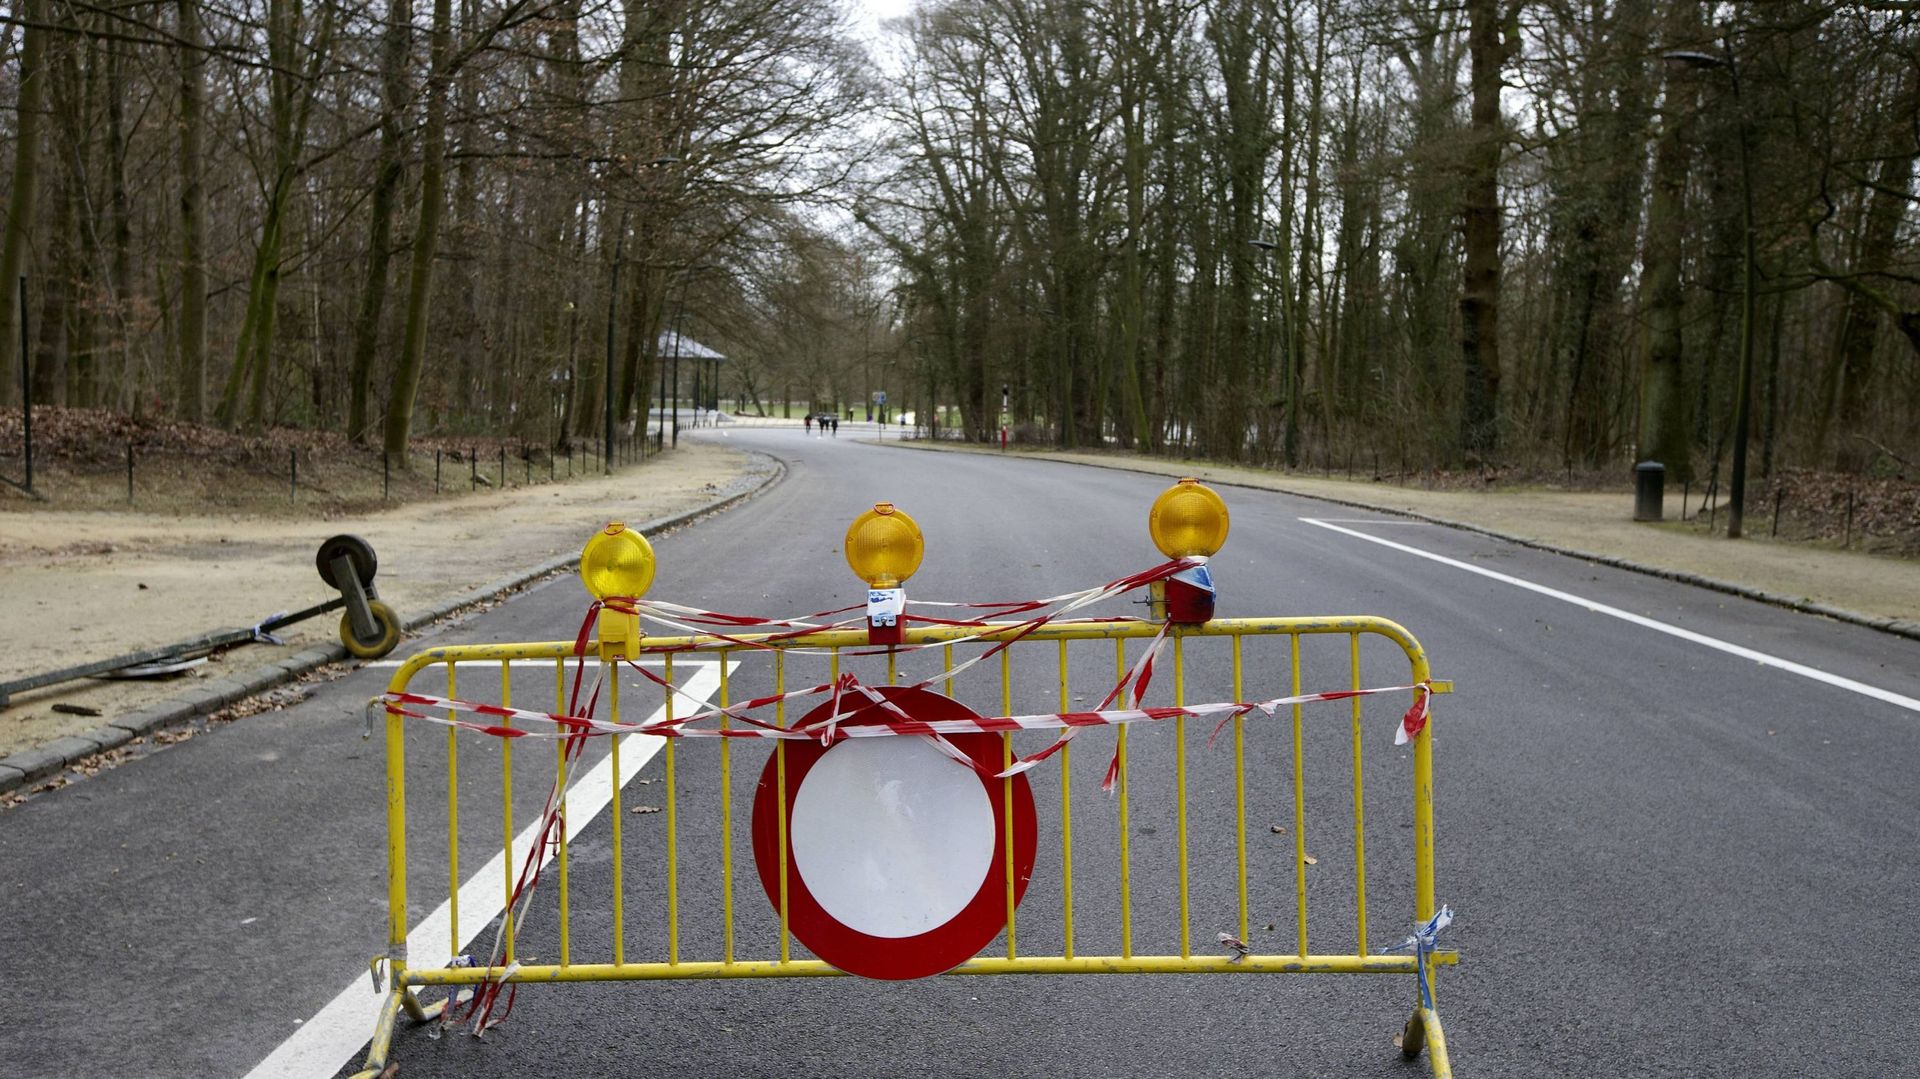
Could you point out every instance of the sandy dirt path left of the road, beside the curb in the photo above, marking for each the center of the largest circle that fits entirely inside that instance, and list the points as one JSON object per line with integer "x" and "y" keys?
{"x": 89, "y": 585}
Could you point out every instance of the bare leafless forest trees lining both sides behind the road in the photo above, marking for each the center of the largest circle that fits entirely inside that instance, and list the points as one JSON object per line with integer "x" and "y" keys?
{"x": 1301, "y": 233}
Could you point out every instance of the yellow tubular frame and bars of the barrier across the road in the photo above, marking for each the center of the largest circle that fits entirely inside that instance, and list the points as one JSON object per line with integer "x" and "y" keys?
{"x": 1424, "y": 1028}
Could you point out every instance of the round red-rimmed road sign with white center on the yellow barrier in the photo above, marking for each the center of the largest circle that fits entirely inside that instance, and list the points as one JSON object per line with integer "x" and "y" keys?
{"x": 896, "y": 851}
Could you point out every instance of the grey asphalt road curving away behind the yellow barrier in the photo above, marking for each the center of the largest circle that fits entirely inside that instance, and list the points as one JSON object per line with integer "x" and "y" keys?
{"x": 1668, "y": 859}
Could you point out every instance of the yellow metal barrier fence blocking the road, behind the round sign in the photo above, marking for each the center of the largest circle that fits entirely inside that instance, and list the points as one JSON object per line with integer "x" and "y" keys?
{"x": 1151, "y": 907}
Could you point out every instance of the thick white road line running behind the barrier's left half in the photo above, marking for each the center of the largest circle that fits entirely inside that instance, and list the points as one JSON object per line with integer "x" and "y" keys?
{"x": 341, "y": 1030}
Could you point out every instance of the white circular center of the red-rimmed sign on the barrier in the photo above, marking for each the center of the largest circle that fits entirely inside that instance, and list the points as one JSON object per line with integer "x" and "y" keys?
{"x": 892, "y": 836}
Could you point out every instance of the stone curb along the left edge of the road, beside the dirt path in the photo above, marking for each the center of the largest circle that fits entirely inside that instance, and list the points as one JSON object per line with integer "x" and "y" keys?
{"x": 34, "y": 765}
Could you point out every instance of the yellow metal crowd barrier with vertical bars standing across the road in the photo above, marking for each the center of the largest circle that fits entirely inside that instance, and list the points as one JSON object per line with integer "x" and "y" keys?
{"x": 1264, "y": 658}
